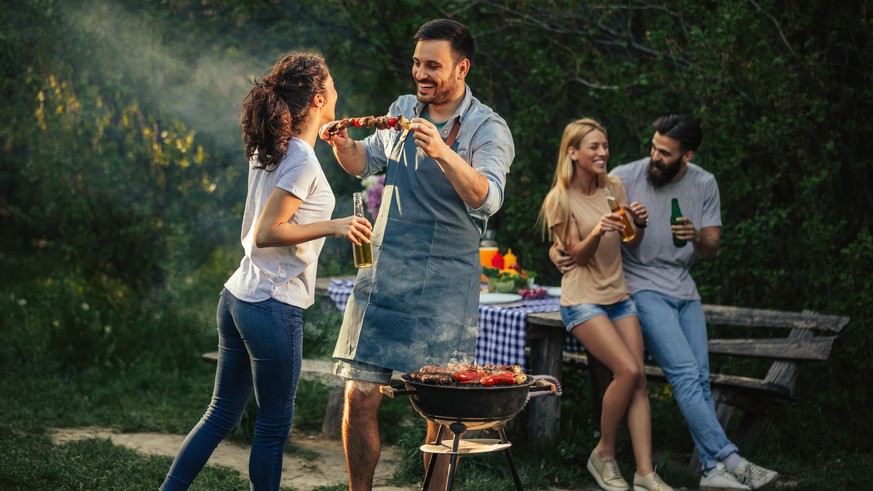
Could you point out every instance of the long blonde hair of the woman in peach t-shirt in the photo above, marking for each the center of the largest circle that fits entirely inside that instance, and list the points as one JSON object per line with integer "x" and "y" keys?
{"x": 565, "y": 169}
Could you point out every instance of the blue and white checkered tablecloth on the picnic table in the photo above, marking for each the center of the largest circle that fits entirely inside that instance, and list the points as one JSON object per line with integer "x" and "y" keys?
{"x": 502, "y": 328}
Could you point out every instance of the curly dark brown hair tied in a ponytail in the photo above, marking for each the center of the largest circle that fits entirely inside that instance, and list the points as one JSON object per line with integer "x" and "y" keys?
{"x": 275, "y": 107}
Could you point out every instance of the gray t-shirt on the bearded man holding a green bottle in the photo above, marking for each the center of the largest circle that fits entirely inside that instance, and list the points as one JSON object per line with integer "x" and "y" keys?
{"x": 657, "y": 264}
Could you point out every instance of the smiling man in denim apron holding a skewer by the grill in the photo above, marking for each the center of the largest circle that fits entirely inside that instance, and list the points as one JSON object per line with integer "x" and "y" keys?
{"x": 418, "y": 304}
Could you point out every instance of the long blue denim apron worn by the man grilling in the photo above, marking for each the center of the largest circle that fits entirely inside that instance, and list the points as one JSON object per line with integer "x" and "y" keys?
{"x": 418, "y": 304}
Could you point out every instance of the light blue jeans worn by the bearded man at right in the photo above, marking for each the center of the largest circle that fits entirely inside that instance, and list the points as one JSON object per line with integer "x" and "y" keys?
{"x": 675, "y": 335}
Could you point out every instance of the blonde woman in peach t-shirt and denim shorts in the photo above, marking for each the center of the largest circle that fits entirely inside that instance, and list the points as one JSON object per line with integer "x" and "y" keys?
{"x": 595, "y": 304}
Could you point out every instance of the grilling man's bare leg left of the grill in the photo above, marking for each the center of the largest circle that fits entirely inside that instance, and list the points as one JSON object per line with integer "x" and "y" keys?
{"x": 360, "y": 433}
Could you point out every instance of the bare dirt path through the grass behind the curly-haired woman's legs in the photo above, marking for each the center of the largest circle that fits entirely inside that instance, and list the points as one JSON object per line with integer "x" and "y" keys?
{"x": 298, "y": 472}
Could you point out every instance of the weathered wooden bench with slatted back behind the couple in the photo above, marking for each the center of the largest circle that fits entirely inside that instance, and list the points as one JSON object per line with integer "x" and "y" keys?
{"x": 780, "y": 340}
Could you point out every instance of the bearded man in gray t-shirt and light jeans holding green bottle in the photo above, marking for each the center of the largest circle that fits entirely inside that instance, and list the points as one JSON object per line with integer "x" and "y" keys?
{"x": 669, "y": 306}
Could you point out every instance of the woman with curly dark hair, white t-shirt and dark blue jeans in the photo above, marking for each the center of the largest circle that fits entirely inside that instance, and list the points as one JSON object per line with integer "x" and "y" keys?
{"x": 259, "y": 316}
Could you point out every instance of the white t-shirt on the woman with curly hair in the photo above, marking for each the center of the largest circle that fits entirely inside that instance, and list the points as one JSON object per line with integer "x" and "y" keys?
{"x": 286, "y": 274}
